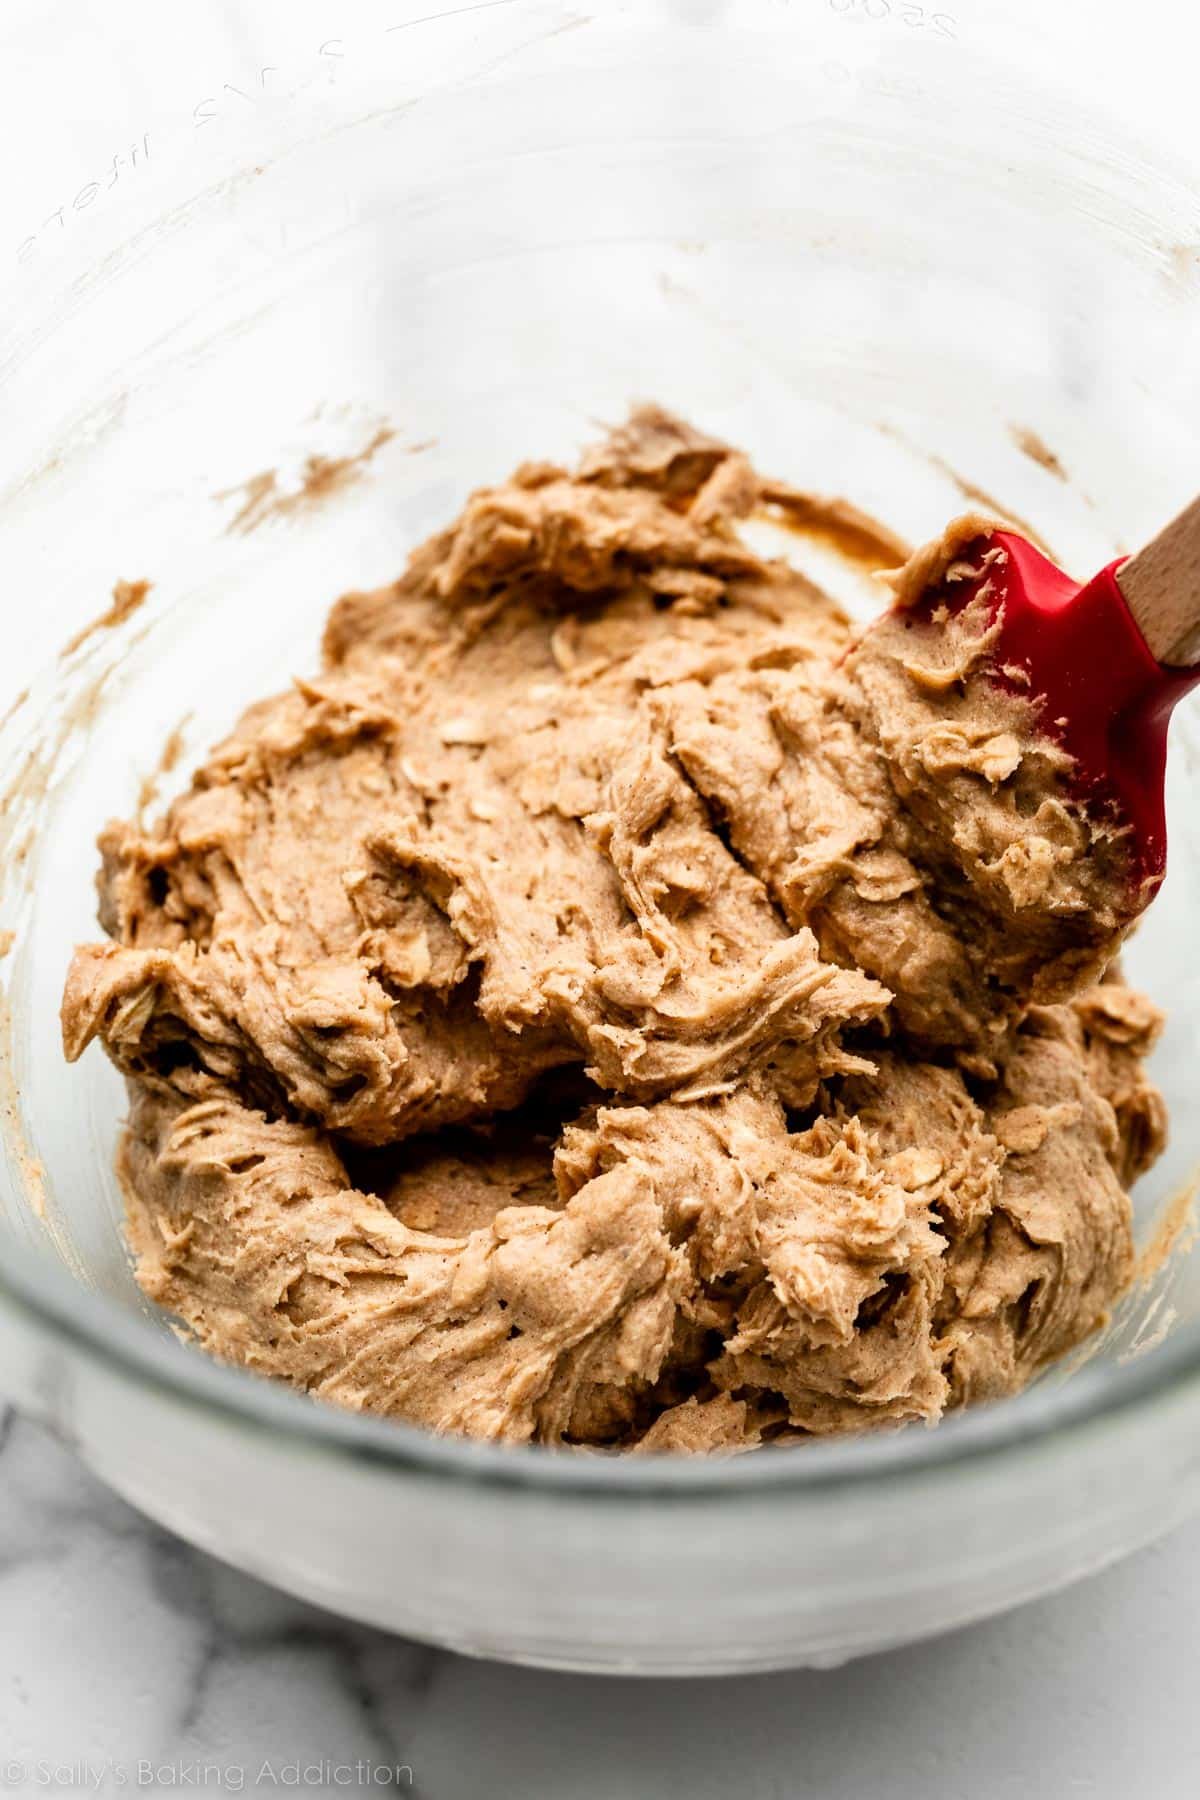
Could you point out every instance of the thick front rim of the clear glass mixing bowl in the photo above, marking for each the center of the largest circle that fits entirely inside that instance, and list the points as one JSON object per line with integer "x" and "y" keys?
{"x": 51, "y": 1302}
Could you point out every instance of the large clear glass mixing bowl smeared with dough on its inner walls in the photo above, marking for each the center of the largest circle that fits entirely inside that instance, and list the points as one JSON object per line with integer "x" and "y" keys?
{"x": 900, "y": 251}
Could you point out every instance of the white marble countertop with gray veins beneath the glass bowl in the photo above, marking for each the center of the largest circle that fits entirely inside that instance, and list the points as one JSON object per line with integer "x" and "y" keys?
{"x": 121, "y": 1648}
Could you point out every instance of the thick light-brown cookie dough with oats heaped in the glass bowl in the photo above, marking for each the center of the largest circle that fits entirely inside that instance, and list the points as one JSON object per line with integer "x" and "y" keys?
{"x": 611, "y": 1007}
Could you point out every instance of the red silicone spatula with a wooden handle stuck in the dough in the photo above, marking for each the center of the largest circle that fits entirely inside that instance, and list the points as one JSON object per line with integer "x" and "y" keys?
{"x": 1109, "y": 661}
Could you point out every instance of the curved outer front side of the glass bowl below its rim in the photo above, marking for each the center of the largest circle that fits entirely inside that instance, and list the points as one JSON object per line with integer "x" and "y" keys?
{"x": 623, "y": 1583}
